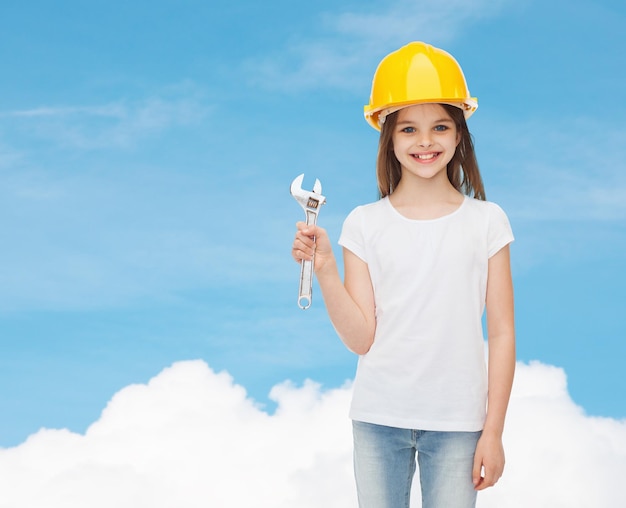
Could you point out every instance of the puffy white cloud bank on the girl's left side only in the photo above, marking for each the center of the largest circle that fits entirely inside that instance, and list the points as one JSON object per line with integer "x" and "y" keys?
{"x": 188, "y": 438}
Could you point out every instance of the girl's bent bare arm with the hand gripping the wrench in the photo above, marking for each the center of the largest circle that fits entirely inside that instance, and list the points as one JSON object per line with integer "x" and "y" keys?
{"x": 350, "y": 304}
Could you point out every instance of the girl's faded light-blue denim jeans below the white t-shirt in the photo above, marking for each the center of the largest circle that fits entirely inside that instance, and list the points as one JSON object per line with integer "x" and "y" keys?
{"x": 384, "y": 465}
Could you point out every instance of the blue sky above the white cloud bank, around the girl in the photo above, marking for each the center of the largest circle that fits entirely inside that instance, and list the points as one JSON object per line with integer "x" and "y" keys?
{"x": 146, "y": 152}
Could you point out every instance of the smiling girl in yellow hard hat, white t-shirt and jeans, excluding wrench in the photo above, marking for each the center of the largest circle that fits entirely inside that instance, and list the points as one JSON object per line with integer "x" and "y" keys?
{"x": 420, "y": 266}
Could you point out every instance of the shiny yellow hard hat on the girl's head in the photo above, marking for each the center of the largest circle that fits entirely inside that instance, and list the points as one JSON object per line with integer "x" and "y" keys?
{"x": 414, "y": 74}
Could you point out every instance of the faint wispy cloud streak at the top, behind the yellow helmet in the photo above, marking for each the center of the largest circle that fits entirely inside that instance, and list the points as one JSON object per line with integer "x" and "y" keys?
{"x": 349, "y": 44}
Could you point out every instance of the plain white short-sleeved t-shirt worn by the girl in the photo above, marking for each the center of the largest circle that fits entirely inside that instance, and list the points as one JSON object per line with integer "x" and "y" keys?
{"x": 426, "y": 368}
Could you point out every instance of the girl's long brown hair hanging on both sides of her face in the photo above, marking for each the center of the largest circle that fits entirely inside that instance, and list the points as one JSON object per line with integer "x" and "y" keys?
{"x": 462, "y": 170}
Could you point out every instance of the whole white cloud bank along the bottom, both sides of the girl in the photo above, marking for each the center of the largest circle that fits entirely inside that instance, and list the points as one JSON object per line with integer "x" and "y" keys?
{"x": 191, "y": 437}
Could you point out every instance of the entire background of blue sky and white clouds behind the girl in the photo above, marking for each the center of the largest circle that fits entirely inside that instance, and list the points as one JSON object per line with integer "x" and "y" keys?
{"x": 149, "y": 330}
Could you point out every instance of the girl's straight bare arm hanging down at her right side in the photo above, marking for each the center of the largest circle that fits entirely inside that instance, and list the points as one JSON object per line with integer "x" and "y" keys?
{"x": 501, "y": 335}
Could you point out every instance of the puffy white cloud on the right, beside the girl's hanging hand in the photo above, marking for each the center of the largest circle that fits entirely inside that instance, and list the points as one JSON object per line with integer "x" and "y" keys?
{"x": 557, "y": 455}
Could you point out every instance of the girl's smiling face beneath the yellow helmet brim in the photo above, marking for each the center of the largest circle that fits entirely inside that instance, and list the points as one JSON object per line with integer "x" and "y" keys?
{"x": 424, "y": 141}
